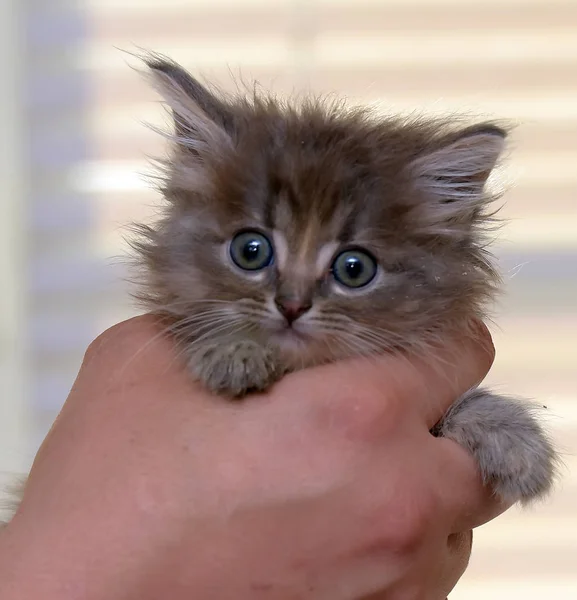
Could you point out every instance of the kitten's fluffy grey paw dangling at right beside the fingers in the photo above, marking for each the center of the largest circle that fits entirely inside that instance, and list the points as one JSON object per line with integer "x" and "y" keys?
{"x": 514, "y": 453}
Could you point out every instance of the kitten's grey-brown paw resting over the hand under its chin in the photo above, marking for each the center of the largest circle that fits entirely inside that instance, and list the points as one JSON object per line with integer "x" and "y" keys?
{"x": 236, "y": 368}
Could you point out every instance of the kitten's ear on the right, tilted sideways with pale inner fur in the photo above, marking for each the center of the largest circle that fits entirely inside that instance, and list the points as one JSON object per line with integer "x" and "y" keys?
{"x": 458, "y": 171}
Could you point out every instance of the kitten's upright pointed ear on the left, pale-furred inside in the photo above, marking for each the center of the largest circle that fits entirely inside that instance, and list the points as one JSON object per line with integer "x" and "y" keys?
{"x": 201, "y": 120}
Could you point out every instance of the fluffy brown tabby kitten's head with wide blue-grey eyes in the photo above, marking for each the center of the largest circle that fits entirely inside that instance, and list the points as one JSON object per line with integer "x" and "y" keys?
{"x": 325, "y": 231}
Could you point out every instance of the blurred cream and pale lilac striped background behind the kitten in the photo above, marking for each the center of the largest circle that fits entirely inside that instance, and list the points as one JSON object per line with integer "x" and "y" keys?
{"x": 73, "y": 152}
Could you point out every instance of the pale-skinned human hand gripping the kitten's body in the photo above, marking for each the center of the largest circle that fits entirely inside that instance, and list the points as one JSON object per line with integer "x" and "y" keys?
{"x": 328, "y": 487}
